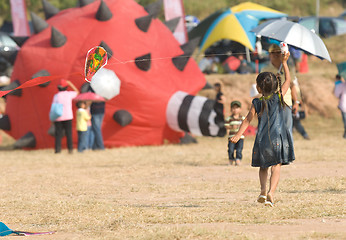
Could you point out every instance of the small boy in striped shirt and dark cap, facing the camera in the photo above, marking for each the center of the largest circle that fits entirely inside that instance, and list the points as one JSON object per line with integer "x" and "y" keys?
{"x": 233, "y": 123}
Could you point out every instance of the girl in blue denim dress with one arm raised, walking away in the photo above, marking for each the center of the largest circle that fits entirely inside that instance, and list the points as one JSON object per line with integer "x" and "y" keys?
{"x": 273, "y": 145}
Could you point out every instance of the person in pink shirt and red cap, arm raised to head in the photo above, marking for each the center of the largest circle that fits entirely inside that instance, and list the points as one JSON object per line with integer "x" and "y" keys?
{"x": 64, "y": 122}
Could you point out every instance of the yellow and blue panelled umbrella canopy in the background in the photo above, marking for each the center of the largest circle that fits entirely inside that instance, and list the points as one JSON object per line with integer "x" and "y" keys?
{"x": 233, "y": 23}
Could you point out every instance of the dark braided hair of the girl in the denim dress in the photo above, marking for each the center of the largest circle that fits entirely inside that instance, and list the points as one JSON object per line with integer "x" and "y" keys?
{"x": 268, "y": 83}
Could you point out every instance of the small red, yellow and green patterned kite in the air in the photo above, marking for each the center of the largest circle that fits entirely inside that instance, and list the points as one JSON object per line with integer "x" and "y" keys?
{"x": 95, "y": 60}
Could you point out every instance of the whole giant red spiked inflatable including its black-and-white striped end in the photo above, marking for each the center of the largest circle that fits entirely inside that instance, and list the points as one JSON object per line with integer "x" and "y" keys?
{"x": 158, "y": 77}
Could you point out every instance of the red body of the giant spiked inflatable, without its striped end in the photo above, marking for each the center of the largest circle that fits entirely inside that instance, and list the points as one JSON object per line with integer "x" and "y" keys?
{"x": 142, "y": 52}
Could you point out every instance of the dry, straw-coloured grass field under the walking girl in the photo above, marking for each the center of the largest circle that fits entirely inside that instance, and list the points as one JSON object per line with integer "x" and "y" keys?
{"x": 177, "y": 191}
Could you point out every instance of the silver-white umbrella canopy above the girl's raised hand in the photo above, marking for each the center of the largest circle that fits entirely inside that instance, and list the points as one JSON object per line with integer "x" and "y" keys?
{"x": 295, "y": 35}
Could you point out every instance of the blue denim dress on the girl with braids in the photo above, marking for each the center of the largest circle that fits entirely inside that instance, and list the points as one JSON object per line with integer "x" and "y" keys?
{"x": 273, "y": 143}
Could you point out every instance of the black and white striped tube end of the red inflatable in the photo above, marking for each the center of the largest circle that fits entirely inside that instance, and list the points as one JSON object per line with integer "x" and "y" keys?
{"x": 194, "y": 114}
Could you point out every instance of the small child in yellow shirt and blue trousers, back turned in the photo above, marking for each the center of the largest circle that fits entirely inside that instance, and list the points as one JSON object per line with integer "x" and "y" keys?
{"x": 82, "y": 125}
